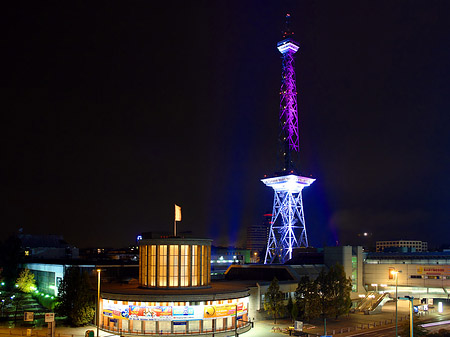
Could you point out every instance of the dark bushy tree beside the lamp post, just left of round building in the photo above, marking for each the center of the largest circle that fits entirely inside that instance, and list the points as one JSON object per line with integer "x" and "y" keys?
{"x": 75, "y": 299}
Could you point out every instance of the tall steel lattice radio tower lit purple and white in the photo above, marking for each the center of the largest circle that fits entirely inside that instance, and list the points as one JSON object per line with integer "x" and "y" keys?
{"x": 287, "y": 229}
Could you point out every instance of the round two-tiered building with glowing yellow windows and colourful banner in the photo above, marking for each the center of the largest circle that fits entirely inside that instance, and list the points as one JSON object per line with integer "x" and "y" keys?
{"x": 175, "y": 294}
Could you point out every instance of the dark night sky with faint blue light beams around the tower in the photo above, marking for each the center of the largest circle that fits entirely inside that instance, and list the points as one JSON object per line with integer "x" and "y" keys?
{"x": 114, "y": 111}
